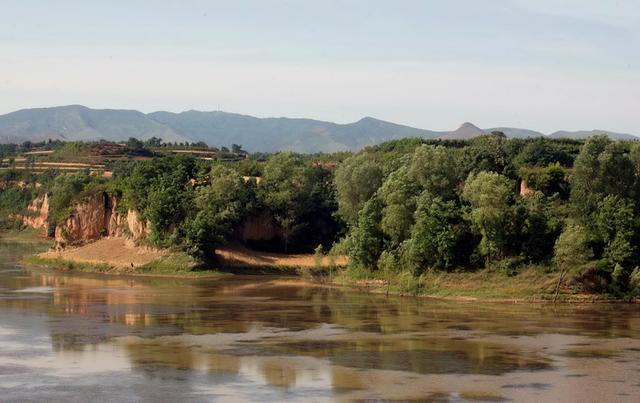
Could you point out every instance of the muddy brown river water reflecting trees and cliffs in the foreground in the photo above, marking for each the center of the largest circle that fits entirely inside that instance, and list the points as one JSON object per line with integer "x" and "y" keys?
{"x": 85, "y": 338}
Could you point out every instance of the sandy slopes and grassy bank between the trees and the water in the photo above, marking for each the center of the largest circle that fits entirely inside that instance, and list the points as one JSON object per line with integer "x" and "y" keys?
{"x": 116, "y": 256}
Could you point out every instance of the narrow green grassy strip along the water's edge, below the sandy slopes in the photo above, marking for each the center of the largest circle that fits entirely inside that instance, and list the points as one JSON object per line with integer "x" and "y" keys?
{"x": 463, "y": 287}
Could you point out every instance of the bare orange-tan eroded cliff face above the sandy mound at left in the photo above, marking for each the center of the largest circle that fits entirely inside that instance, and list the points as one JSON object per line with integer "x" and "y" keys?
{"x": 91, "y": 219}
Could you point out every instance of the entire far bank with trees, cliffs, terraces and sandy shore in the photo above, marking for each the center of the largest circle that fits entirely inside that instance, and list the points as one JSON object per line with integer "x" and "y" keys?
{"x": 490, "y": 217}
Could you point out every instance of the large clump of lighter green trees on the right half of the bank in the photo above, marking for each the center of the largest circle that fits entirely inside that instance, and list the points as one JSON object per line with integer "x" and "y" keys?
{"x": 500, "y": 204}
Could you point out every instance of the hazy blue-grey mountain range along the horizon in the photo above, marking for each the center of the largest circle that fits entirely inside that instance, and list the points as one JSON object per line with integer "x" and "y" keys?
{"x": 76, "y": 122}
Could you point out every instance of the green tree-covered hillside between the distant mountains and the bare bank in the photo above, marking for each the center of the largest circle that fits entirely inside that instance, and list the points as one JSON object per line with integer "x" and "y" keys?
{"x": 403, "y": 208}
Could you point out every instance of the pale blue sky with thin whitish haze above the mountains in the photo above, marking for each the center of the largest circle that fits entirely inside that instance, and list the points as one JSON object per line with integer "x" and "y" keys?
{"x": 541, "y": 64}
